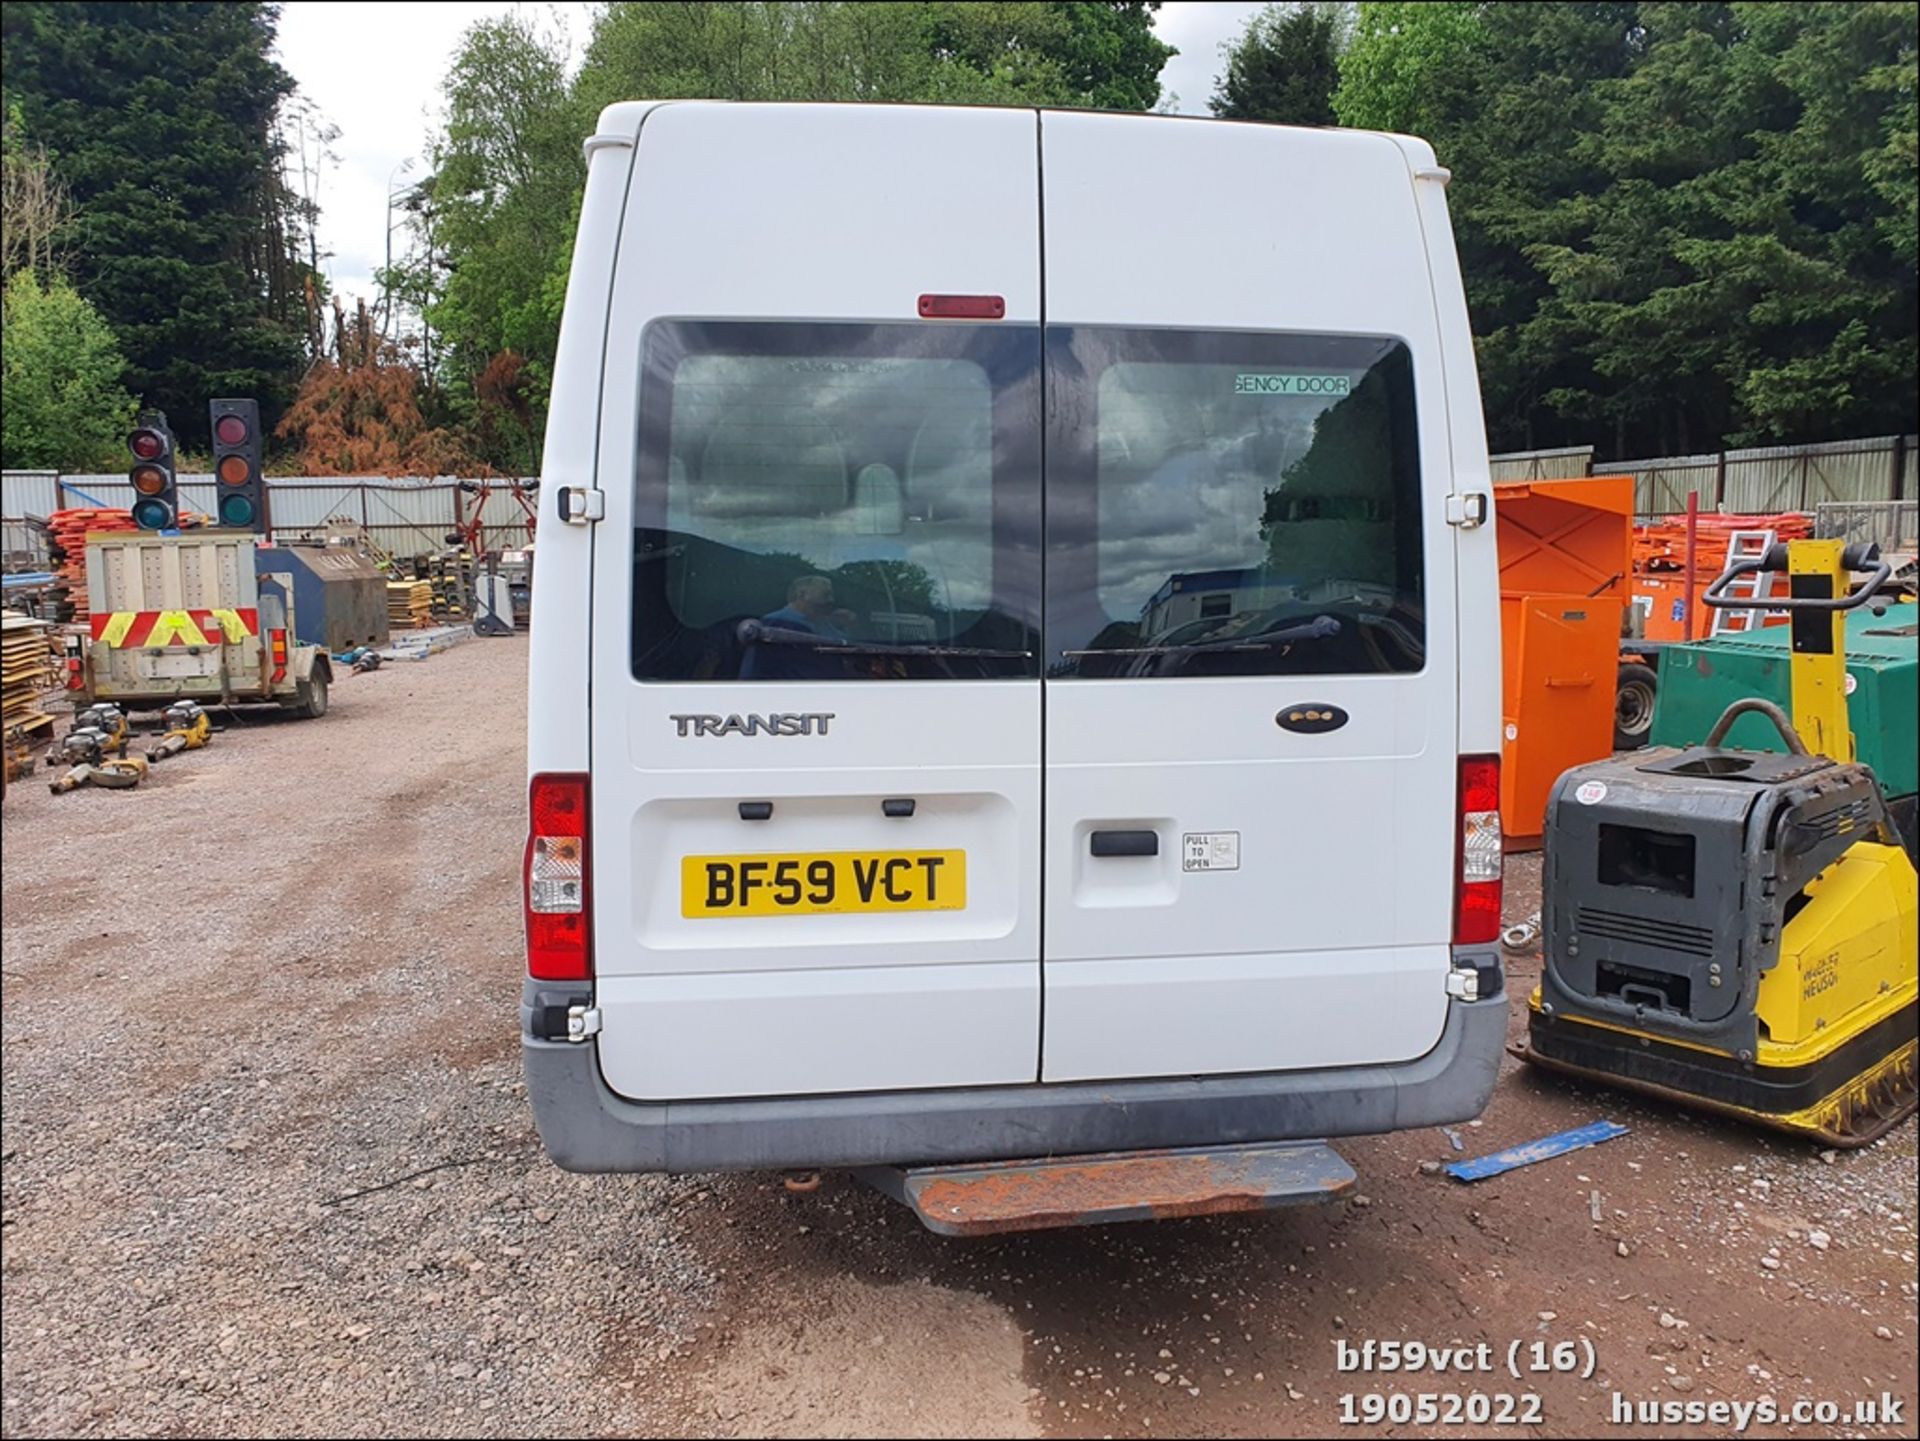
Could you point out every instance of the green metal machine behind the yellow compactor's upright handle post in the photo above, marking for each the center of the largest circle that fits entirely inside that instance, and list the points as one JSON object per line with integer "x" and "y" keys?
{"x": 1704, "y": 678}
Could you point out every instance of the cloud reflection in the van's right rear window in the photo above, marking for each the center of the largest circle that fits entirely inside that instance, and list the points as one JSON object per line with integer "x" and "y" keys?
{"x": 1184, "y": 473}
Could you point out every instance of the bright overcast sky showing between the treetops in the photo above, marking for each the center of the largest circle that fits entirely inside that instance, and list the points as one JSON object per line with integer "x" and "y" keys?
{"x": 375, "y": 70}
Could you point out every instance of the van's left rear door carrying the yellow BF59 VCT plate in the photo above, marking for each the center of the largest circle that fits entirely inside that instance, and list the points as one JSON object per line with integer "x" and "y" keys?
{"x": 817, "y": 703}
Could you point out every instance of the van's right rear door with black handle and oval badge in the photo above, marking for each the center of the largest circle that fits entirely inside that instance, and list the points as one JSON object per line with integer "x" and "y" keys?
{"x": 1251, "y": 653}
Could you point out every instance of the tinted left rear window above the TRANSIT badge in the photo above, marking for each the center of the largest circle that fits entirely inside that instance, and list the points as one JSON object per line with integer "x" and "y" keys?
{"x": 838, "y": 502}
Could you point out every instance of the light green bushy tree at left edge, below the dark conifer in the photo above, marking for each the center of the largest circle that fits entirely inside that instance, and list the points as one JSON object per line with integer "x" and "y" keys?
{"x": 60, "y": 373}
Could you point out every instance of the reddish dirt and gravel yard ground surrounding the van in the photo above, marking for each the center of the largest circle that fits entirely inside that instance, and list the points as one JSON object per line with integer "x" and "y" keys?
{"x": 285, "y": 974}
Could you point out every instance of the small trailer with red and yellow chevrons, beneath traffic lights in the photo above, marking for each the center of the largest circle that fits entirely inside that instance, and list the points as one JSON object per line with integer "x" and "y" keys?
{"x": 193, "y": 615}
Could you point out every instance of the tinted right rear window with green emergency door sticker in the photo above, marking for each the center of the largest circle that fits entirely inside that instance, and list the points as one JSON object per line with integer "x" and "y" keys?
{"x": 1232, "y": 506}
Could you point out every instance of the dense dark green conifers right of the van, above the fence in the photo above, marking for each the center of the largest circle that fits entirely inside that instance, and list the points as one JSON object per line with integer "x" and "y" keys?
{"x": 1683, "y": 225}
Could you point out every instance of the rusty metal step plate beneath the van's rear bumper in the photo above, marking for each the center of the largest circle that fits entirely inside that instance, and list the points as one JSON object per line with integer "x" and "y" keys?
{"x": 1092, "y": 1191}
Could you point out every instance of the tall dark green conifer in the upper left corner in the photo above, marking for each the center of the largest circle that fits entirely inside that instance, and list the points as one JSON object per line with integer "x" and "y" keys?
{"x": 160, "y": 124}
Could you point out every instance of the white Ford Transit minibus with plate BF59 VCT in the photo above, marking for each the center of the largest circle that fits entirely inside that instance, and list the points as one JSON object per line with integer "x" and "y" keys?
{"x": 1015, "y": 646}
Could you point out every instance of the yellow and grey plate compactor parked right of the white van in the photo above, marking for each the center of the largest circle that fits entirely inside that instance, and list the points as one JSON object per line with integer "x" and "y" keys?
{"x": 1737, "y": 930}
